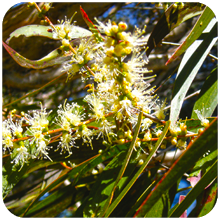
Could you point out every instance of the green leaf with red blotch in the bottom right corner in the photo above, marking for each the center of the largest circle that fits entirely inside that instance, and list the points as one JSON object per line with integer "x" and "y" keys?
{"x": 209, "y": 199}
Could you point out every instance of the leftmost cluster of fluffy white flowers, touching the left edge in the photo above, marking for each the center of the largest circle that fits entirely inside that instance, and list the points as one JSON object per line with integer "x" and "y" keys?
{"x": 35, "y": 146}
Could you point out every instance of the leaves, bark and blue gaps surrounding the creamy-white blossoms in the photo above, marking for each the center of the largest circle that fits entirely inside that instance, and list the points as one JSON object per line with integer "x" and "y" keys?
{"x": 182, "y": 41}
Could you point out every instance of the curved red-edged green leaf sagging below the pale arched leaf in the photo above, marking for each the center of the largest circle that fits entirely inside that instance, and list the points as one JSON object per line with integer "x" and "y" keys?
{"x": 55, "y": 57}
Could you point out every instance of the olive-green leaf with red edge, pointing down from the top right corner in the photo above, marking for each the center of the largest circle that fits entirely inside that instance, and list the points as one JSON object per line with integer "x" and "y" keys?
{"x": 194, "y": 34}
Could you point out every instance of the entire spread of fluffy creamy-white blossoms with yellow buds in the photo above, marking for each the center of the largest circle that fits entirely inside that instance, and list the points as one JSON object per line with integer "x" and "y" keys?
{"x": 118, "y": 94}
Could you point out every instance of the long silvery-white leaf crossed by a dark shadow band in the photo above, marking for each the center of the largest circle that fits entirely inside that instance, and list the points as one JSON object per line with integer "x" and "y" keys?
{"x": 189, "y": 66}
